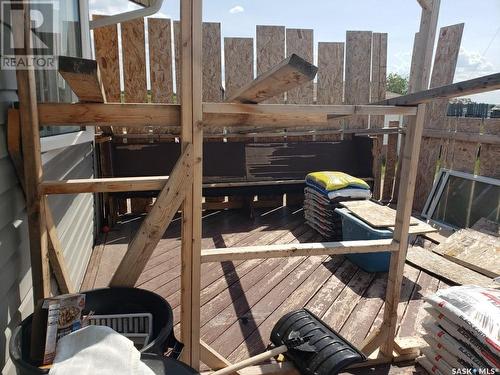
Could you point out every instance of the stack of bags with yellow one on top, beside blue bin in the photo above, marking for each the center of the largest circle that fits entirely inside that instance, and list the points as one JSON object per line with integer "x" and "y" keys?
{"x": 323, "y": 193}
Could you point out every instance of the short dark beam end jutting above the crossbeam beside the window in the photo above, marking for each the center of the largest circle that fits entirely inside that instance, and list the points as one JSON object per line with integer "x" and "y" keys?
{"x": 83, "y": 77}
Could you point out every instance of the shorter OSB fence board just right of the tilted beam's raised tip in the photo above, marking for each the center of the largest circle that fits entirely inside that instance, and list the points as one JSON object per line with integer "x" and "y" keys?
{"x": 330, "y": 73}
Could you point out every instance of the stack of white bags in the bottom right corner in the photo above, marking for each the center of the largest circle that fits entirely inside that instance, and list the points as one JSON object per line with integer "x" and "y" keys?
{"x": 462, "y": 331}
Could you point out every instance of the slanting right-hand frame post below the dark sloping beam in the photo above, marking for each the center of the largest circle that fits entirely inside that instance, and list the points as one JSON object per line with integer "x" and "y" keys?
{"x": 403, "y": 214}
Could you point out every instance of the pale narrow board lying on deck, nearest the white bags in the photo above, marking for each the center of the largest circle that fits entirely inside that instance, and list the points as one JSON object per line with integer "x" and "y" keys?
{"x": 444, "y": 268}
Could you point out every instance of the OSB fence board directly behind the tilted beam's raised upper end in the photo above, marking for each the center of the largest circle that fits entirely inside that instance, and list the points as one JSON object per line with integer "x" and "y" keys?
{"x": 300, "y": 42}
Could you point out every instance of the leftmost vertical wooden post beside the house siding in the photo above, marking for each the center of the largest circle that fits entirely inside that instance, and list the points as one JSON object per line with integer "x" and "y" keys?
{"x": 33, "y": 172}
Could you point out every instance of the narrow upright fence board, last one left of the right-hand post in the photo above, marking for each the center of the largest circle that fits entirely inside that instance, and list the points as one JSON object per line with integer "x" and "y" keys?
{"x": 377, "y": 93}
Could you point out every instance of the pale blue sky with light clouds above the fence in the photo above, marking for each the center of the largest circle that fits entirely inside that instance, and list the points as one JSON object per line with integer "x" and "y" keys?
{"x": 479, "y": 53}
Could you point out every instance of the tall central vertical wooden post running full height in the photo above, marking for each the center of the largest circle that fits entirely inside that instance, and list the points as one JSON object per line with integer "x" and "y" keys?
{"x": 191, "y": 116}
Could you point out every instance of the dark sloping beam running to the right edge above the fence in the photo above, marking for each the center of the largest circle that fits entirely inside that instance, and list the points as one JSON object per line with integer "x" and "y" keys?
{"x": 473, "y": 86}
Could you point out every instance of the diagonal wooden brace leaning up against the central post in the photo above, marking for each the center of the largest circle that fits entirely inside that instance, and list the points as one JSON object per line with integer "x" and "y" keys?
{"x": 156, "y": 222}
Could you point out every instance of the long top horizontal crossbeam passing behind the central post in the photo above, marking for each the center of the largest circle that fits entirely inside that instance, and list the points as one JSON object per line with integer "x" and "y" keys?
{"x": 216, "y": 115}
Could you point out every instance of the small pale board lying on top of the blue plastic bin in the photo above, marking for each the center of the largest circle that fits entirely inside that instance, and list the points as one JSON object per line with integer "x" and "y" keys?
{"x": 376, "y": 215}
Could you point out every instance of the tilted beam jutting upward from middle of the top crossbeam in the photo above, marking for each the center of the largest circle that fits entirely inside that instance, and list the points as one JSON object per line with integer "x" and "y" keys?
{"x": 290, "y": 73}
